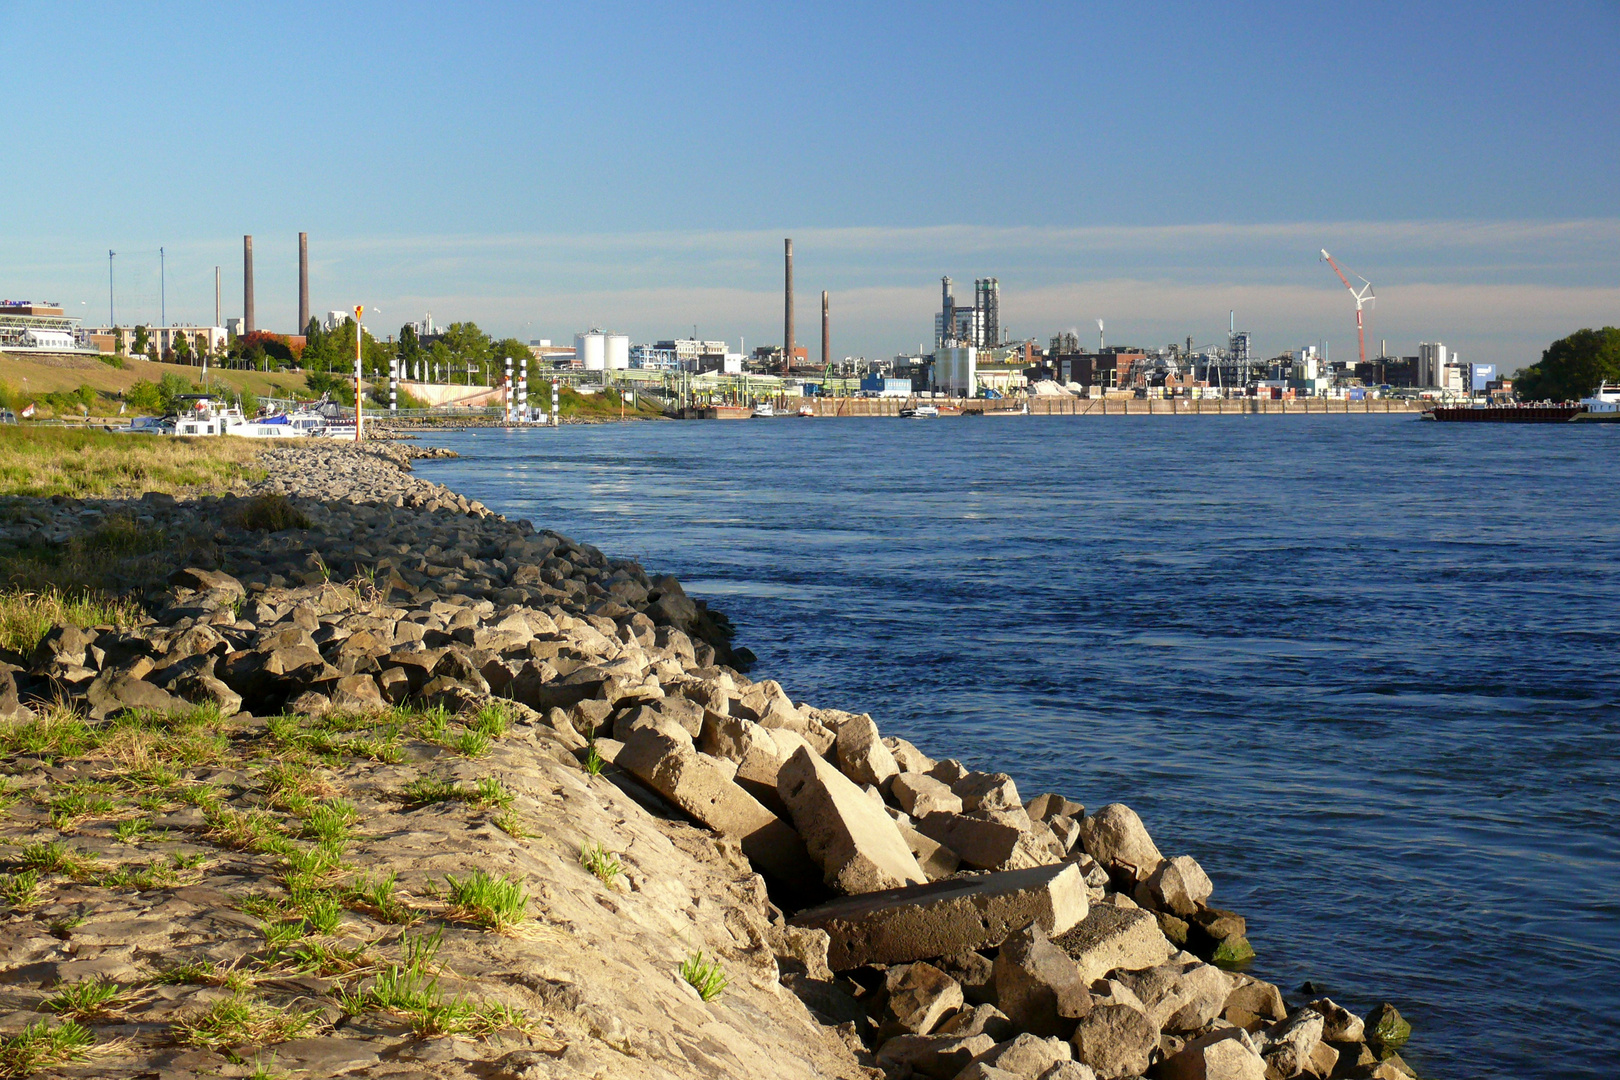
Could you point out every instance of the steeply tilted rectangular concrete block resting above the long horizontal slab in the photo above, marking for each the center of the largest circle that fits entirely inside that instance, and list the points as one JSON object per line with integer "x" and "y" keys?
{"x": 858, "y": 846}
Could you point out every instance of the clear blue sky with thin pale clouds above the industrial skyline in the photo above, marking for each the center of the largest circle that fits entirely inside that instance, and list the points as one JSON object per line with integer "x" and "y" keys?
{"x": 550, "y": 168}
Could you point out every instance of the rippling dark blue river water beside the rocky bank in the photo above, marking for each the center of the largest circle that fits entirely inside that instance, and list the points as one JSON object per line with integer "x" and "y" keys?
{"x": 1363, "y": 668}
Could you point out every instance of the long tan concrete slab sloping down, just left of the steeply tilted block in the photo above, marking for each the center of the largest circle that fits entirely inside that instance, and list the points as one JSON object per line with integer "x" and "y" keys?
{"x": 670, "y": 765}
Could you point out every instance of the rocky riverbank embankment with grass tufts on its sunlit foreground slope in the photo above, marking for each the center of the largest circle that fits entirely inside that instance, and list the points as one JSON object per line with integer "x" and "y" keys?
{"x": 399, "y": 788}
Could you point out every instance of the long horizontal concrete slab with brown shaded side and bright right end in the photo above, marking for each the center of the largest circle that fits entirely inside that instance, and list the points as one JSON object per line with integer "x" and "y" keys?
{"x": 949, "y": 917}
